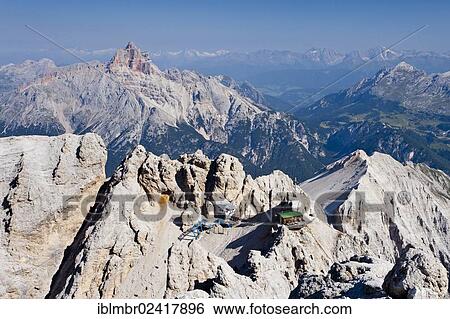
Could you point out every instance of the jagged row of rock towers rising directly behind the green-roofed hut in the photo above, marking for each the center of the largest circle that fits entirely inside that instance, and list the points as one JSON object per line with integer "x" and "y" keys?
{"x": 194, "y": 180}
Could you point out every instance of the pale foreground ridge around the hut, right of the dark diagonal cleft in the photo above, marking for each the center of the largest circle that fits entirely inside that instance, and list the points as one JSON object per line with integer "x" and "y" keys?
{"x": 343, "y": 255}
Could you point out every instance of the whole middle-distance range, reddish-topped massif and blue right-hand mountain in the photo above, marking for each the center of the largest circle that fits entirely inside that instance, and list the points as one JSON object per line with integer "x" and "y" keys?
{"x": 401, "y": 111}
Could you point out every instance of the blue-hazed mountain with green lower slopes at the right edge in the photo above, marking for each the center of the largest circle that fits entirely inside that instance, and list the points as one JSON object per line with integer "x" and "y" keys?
{"x": 401, "y": 111}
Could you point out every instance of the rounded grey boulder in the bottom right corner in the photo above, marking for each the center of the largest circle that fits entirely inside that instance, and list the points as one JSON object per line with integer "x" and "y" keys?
{"x": 417, "y": 274}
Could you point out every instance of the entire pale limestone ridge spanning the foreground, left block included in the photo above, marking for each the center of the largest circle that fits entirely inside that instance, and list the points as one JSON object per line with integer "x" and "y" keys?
{"x": 375, "y": 228}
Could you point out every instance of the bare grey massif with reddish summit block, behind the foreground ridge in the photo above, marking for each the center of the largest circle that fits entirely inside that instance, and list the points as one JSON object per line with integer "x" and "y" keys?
{"x": 130, "y": 101}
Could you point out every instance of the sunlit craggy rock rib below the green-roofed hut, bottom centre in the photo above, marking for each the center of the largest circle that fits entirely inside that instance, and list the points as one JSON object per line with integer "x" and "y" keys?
{"x": 272, "y": 273}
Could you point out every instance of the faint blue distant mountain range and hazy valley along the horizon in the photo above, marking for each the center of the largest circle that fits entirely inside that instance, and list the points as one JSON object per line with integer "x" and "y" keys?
{"x": 292, "y": 77}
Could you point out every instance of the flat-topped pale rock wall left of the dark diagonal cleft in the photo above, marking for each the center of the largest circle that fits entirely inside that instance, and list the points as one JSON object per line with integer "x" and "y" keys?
{"x": 41, "y": 182}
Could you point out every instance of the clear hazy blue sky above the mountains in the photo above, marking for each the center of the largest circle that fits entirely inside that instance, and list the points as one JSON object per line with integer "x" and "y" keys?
{"x": 242, "y": 25}
